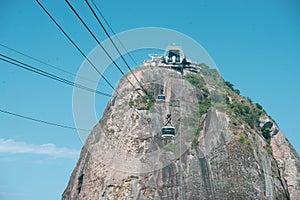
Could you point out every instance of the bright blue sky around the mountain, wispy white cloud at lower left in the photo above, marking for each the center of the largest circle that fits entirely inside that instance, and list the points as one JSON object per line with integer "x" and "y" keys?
{"x": 255, "y": 45}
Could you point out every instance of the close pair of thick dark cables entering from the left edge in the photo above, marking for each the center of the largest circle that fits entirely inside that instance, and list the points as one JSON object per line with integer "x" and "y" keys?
{"x": 48, "y": 75}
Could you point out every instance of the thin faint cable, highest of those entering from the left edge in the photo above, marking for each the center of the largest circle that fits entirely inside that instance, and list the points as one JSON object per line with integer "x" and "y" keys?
{"x": 47, "y": 64}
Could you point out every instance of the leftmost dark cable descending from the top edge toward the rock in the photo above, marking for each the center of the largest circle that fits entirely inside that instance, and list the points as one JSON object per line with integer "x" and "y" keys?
{"x": 76, "y": 46}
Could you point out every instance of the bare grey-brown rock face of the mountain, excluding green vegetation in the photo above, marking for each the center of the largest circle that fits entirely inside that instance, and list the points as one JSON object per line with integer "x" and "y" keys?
{"x": 125, "y": 157}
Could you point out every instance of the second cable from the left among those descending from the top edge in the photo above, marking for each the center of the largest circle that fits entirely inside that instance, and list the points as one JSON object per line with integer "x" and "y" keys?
{"x": 98, "y": 42}
